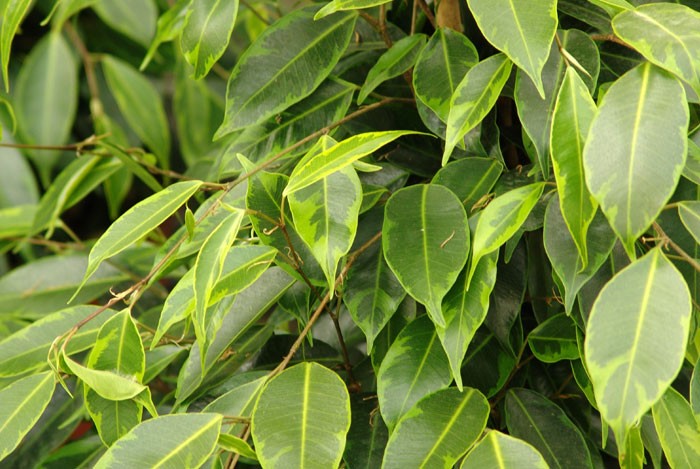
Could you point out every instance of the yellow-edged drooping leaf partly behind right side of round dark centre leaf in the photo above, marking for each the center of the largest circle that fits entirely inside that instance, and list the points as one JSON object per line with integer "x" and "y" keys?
{"x": 464, "y": 308}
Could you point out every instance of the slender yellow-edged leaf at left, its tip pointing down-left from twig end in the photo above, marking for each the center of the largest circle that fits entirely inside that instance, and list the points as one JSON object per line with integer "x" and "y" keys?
{"x": 138, "y": 221}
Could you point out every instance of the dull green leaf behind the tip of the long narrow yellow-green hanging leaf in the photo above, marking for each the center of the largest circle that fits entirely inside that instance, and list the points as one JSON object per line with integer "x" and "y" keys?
{"x": 564, "y": 255}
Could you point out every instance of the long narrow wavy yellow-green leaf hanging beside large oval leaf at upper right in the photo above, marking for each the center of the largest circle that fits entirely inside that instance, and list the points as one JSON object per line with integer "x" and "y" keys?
{"x": 573, "y": 114}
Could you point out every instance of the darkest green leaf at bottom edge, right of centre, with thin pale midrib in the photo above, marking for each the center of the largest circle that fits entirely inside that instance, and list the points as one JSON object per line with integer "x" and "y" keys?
{"x": 535, "y": 419}
